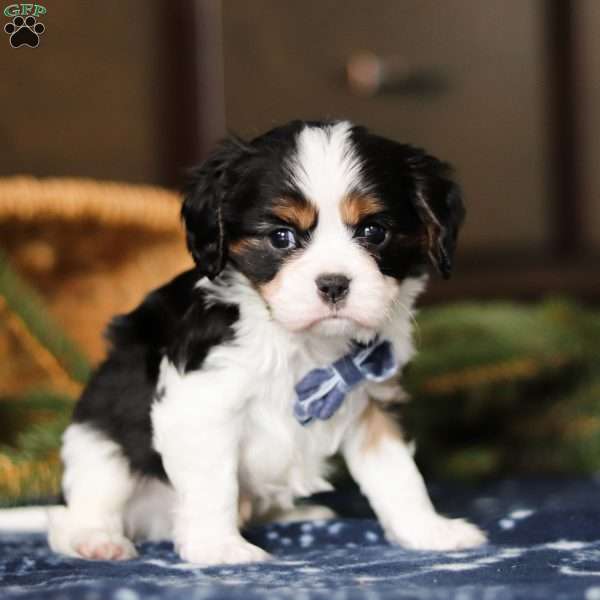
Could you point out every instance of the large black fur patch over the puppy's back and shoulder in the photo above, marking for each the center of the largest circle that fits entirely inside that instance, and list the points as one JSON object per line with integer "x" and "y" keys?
{"x": 174, "y": 320}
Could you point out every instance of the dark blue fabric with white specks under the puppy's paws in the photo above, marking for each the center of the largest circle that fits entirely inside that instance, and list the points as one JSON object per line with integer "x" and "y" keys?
{"x": 544, "y": 543}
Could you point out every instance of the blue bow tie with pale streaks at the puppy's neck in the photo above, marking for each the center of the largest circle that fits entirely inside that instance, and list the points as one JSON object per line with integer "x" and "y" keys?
{"x": 321, "y": 392}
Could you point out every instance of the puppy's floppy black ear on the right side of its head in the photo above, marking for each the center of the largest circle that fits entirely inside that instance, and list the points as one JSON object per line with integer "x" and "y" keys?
{"x": 439, "y": 205}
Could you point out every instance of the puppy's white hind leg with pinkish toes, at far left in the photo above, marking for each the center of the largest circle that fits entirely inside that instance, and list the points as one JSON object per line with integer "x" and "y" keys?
{"x": 97, "y": 485}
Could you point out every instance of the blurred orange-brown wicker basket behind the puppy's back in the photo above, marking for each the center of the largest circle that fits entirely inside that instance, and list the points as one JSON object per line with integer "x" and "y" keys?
{"x": 90, "y": 249}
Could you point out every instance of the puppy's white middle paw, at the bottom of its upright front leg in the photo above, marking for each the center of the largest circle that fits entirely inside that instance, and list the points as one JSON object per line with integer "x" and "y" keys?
{"x": 231, "y": 551}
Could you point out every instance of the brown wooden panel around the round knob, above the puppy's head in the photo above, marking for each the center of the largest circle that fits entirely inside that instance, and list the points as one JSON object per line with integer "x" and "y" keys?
{"x": 286, "y": 60}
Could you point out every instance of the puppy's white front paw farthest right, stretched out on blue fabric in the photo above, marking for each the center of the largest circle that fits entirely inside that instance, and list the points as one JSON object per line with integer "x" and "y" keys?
{"x": 434, "y": 532}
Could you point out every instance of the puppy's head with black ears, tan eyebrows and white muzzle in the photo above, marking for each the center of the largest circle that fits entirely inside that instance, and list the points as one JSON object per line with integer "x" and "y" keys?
{"x": 325, "y": 219}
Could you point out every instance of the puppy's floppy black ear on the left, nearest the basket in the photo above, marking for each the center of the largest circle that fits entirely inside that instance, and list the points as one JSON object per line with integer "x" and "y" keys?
{"x": 202, "y": 211}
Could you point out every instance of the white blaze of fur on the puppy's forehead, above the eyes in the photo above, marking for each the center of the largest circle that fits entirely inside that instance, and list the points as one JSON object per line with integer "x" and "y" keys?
{"x": 326, "y": 167}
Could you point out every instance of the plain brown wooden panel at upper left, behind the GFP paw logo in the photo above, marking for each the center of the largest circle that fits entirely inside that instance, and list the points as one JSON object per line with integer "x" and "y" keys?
{"x": 89, "y": 100}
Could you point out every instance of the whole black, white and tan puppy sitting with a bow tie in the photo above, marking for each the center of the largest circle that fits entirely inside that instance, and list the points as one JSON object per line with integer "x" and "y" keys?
{"x": 227, "y": 390}
